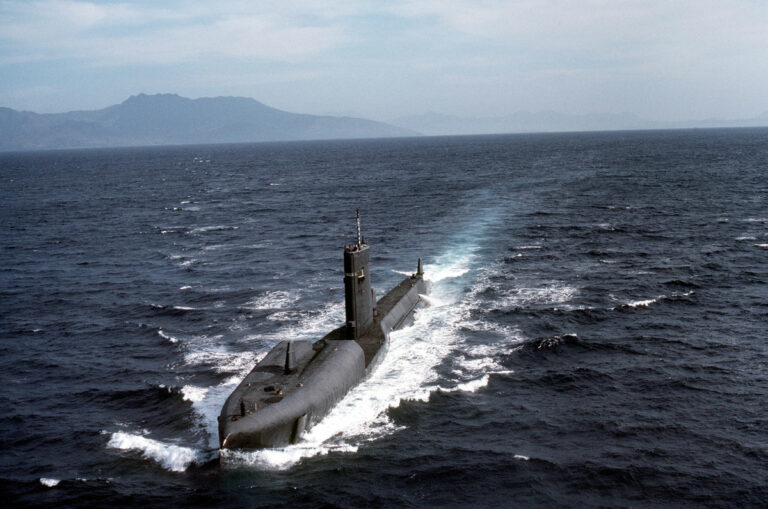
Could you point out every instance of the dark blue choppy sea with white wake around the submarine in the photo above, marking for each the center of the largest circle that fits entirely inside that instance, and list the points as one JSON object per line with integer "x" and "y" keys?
{"x": 597, "y": 333}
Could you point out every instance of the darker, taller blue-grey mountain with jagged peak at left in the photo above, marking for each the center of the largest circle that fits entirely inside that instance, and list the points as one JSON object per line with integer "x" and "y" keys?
{"x": 168, "y": 119}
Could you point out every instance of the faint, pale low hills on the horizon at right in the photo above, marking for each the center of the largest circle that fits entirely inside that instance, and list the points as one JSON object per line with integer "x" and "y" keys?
{"x": 550, "y": 121}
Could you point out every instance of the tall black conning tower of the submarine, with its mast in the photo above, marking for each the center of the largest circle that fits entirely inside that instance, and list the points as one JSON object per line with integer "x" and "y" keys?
{"x": 358, "y": 295}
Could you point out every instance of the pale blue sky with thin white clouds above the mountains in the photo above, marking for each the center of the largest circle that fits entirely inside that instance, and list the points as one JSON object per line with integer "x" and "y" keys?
{"x": 660, "y": 59}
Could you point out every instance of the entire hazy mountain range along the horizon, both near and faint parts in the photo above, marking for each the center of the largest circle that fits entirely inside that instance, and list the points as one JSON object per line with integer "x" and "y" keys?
{"x": 169, "y": 119}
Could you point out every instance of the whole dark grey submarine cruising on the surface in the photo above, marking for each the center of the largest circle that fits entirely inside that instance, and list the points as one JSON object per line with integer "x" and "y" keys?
{"x": 298, "y": 382}
